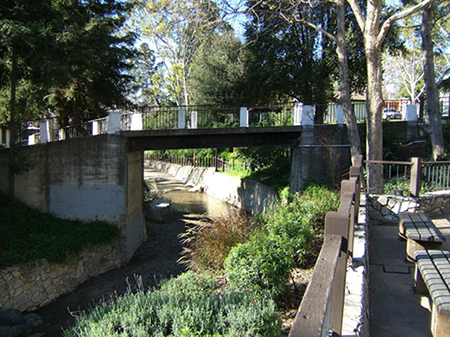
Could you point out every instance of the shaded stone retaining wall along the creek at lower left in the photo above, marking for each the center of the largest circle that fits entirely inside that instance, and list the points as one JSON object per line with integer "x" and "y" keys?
{"x": 29, "y": 286}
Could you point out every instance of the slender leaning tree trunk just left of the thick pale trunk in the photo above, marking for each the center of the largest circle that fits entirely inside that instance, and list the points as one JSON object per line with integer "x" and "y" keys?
{"x": 345, "y": 100}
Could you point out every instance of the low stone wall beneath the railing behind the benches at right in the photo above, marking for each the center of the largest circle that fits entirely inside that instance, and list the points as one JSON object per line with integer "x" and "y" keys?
{"x": 384, "y": 209}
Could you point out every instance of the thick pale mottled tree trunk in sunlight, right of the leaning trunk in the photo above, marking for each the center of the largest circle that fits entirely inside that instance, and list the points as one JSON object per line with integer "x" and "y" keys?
{"x": 374, "y": 99}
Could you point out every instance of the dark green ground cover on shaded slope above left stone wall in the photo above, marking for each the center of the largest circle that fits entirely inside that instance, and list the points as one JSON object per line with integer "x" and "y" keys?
{"x": 27, "y": 234}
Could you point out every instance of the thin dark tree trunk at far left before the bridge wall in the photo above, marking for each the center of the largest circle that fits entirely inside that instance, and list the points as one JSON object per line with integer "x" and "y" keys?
{"x": 13, "y": 120}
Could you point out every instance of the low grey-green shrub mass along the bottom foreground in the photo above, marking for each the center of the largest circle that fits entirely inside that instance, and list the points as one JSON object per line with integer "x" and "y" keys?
{"x": 189, "y": 305}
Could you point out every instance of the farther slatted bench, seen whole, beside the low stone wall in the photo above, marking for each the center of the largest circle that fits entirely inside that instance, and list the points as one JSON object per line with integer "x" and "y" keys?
{"x": 420, "y": 233}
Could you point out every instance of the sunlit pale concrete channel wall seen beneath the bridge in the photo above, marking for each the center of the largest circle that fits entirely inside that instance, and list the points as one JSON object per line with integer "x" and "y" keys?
{"x": 246, "y": 194}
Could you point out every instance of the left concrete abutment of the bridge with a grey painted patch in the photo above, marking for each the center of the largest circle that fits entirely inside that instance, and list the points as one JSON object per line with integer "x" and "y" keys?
{"x": 92, "y": 178}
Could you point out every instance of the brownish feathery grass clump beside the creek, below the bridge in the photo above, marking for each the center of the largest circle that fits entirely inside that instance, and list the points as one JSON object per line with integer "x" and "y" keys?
{"x": 207, "y": 244}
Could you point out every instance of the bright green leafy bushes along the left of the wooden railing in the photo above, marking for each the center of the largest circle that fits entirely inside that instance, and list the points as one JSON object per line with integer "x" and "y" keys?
{"x": 264, "y": 262}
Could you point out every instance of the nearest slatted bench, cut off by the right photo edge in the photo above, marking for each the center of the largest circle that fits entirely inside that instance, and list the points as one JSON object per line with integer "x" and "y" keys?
{"x": 432, "y": 276}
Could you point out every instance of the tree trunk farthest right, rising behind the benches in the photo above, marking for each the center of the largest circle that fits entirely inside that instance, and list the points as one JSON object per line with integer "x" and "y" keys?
{"x": 437, "y": 138}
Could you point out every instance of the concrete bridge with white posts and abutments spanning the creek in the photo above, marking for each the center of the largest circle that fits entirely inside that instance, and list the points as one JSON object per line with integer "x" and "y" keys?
{"x": 101, "y": 177}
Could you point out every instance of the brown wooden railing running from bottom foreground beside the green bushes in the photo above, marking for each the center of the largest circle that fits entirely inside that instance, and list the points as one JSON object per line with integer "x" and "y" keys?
{"x": 321, "y": 309}
